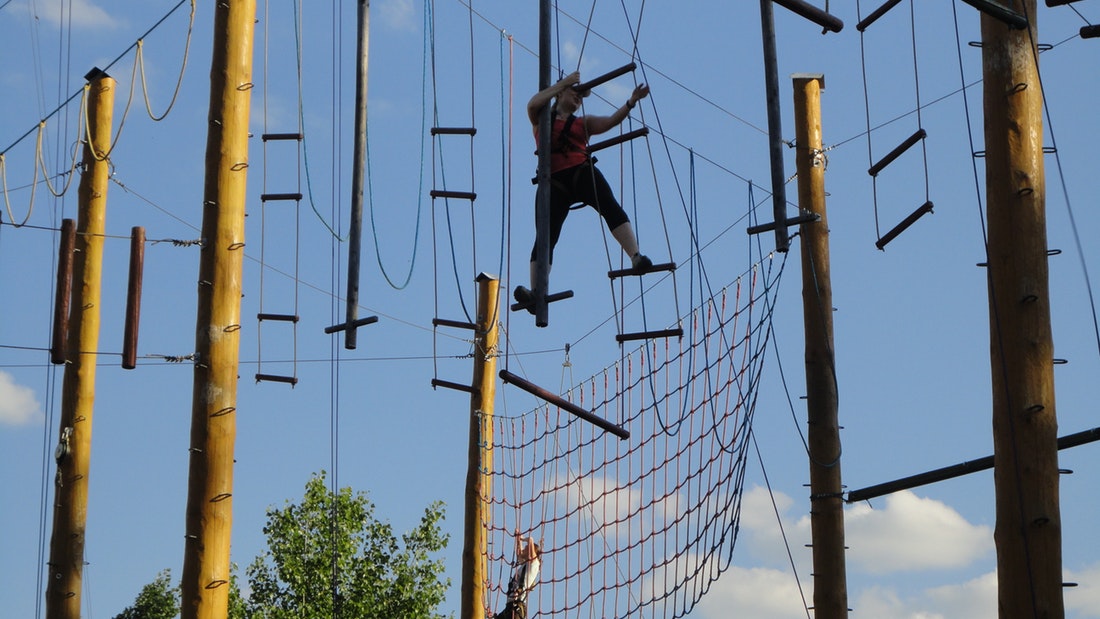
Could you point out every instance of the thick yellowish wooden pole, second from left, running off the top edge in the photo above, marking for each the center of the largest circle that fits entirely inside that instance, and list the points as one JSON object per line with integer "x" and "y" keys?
{"x": 205, "y": 587}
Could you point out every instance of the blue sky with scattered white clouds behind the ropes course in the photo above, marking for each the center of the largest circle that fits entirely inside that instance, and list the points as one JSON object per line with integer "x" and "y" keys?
{"x": 911, "y": 323}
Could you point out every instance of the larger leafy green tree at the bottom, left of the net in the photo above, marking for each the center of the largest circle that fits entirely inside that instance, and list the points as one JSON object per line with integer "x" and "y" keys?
{"x": 331, "y": 558}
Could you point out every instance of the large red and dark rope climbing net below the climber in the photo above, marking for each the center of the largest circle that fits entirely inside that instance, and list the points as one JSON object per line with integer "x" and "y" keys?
{"x": 642, "y": 527}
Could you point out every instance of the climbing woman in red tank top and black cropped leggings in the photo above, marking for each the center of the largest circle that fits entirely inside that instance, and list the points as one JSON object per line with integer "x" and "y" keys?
{"x": 574, "y": 176}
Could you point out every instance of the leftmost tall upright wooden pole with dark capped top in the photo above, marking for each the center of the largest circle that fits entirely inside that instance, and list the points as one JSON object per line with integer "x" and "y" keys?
{"x": 79, "y": 390}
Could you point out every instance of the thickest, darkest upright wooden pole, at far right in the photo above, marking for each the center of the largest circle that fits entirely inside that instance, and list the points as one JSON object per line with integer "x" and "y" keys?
{"x": 1026, "y": 450}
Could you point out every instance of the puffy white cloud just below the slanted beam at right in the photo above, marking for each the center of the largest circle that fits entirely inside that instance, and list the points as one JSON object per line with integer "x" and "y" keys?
{"x": 914, "y": 534}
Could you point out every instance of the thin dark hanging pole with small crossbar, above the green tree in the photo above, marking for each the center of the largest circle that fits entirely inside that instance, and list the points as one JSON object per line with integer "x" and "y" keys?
{"x": 358, "y": 174}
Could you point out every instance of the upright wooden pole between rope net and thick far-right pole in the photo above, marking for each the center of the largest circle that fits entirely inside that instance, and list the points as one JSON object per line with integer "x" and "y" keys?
{"x": 827, "y": 503}
